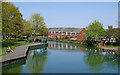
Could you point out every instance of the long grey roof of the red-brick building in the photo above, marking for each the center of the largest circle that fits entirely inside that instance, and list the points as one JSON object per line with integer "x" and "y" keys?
{"x": 74, "y": 30}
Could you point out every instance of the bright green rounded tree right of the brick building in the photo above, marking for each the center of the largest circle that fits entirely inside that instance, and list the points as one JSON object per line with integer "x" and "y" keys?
{"x": 95, "y": 31}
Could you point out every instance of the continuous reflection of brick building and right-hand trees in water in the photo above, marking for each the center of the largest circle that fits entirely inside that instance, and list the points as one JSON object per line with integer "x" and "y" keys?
{"x": 95, "y": 58}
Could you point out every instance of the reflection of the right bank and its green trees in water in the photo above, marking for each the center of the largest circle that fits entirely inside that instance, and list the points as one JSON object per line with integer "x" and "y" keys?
{"x": 96, "y": 59}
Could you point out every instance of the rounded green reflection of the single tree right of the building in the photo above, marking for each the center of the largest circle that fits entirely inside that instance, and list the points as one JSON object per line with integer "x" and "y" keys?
{"x": 94, "y": 60}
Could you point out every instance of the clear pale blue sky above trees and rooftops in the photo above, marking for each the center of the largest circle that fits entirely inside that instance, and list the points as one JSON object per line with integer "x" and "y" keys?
{"x": 72, "y": 14}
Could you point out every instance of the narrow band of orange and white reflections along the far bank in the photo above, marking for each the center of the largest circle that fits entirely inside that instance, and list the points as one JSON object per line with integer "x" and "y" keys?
{"x": 71, "y": 47}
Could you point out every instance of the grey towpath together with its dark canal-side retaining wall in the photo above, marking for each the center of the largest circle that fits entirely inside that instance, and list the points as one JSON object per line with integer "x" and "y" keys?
{"x": 20, "y": 53}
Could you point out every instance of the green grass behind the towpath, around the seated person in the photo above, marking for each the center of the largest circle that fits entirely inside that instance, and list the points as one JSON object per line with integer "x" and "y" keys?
{"x": 13, "y": 44}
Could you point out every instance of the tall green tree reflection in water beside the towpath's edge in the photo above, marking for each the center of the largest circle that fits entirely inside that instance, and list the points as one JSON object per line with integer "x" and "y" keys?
{"x": 36, "y": 61}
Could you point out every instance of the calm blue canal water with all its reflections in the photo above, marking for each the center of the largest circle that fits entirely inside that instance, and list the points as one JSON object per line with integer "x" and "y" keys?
{"x": 66, "y": 58}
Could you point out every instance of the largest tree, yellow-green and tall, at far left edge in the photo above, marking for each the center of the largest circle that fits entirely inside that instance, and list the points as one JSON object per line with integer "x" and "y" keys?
{"x": 11, "y": 20}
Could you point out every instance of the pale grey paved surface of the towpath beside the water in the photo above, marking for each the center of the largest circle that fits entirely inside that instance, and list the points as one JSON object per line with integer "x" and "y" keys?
{"x": 18, "y": 53}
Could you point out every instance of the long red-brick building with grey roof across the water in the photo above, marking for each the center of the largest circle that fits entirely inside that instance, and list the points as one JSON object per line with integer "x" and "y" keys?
{"x": 67, "y": 33}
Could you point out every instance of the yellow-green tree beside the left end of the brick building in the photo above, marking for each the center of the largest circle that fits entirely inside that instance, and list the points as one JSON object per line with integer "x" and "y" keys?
{"x": 38, "y": 24}
